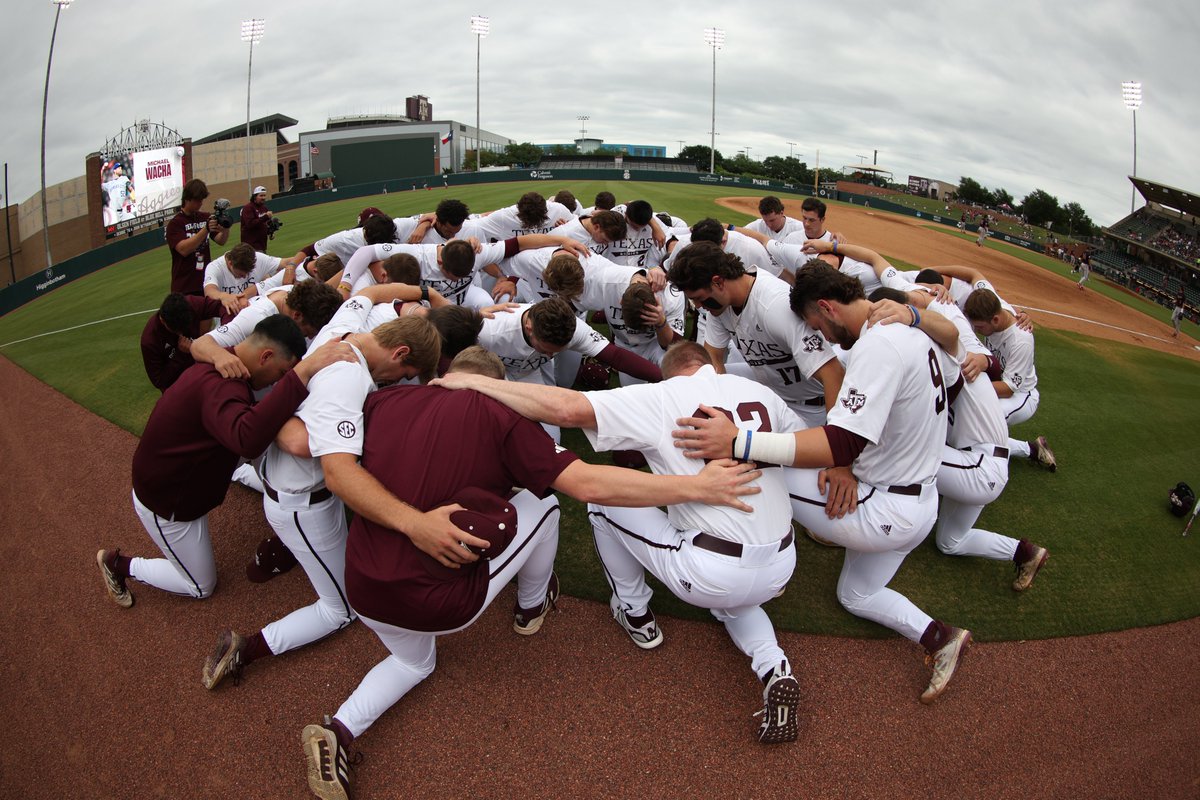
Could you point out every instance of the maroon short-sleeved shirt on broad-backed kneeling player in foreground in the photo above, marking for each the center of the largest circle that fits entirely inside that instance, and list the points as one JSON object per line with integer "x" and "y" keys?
{"x": 425, "y": 444}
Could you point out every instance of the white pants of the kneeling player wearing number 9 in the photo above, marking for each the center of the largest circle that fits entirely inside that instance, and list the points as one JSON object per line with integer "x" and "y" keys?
{"x": 878, "y": 537}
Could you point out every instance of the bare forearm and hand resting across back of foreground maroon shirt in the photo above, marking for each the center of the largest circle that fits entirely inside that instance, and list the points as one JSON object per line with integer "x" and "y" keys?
{"x": 431, "y": 532}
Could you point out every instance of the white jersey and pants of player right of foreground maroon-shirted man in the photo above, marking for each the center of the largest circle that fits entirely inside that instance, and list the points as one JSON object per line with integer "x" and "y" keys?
{"x": 754, "y": 554}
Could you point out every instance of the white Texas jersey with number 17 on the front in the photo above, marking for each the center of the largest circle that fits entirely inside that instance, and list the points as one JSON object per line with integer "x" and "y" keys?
{"x": 781, "y": 351}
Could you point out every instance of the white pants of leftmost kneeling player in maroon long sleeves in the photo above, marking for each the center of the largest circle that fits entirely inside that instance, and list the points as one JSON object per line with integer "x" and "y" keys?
{"x": 188, "y": 567}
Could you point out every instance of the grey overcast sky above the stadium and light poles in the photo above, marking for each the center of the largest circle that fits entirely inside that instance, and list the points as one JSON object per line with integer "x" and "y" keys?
{"x": 1021, "y": 95}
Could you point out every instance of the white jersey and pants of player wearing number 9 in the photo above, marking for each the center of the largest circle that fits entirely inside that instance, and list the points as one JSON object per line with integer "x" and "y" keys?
{"x": 896, "y": 396}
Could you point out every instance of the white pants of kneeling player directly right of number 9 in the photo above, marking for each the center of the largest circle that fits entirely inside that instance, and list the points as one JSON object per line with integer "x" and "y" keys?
{"x": 969, "y": 480}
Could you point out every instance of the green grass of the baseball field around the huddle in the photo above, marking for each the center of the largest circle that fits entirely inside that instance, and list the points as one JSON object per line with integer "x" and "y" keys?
{"x": 1121, "y": 419}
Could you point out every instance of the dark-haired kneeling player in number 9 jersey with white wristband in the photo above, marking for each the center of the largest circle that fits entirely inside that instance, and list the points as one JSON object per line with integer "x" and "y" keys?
{"x": 890, "y": 425}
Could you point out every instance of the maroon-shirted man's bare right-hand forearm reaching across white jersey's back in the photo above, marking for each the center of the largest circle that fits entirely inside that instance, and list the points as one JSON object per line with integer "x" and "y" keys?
{"x": 722, "y": 483}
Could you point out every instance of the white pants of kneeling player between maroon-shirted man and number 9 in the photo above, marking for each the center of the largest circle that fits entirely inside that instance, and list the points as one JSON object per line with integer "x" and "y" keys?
{"x": 631, "y": 542}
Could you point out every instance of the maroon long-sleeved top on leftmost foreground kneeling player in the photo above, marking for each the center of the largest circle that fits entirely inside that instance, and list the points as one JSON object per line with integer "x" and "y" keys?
{"x": 196, "y": 435}
